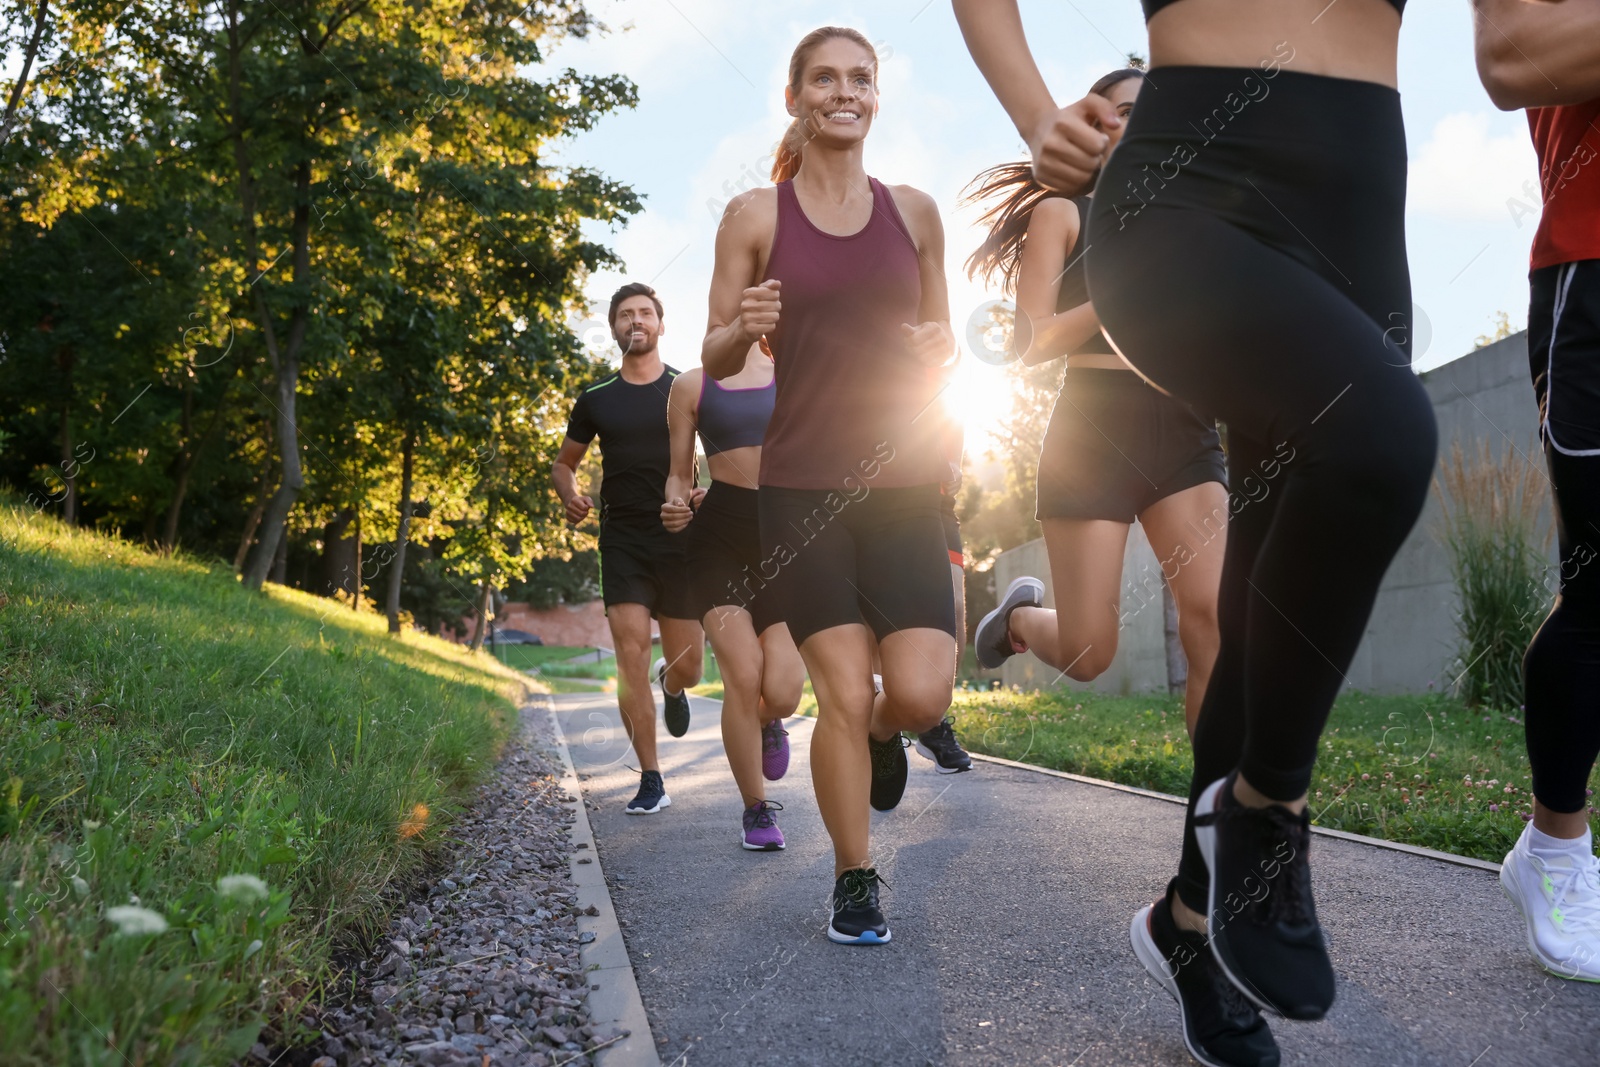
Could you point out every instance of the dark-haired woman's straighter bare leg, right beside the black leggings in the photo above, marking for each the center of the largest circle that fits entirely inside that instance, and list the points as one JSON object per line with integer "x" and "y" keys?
{"x": 1190, "y": 537}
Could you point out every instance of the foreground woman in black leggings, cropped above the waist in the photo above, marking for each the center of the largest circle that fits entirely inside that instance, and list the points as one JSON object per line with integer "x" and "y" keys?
{"x": 1250, "y": 260}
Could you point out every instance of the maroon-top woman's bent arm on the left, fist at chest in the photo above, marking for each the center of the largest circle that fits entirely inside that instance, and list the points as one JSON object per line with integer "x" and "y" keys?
{"x": 742, "y": 311}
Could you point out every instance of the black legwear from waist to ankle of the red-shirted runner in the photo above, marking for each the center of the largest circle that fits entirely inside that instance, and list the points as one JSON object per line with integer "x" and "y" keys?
{"x": 1562, "y": 669}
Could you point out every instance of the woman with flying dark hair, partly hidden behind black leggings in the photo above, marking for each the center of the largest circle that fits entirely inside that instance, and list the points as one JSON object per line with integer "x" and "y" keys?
{"x": 1116, "y": 449}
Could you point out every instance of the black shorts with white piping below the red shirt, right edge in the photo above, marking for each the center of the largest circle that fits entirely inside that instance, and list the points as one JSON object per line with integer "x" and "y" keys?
{"x": 1564, "y": 354}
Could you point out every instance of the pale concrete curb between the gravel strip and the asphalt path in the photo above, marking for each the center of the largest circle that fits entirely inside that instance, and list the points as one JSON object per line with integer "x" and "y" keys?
{"x": 614, "y": 994}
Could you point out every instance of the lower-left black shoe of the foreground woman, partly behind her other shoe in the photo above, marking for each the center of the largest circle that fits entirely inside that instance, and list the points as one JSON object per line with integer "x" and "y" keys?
{"x": 1222, "y": 1028}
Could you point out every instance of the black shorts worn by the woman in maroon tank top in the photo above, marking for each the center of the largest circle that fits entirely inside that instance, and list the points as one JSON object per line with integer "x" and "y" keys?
{"x": 878, "y": 559}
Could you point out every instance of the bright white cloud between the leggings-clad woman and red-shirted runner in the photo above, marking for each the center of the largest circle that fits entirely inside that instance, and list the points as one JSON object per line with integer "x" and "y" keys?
{"x": 1466, "y": 174}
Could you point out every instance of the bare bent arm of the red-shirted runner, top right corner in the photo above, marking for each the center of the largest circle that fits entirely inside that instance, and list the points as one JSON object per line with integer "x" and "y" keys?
{"x": 1538, "y": 54}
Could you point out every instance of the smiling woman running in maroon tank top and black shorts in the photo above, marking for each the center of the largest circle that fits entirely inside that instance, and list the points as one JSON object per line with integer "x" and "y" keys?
{"x": 846, "y": 279}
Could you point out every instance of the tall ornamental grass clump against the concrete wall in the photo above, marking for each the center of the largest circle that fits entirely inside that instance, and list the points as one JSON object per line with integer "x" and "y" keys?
{"x": 1492, "y": 530}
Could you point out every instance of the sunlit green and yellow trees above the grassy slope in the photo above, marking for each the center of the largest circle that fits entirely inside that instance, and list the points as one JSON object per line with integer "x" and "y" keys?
{"x": 282, "y": 274}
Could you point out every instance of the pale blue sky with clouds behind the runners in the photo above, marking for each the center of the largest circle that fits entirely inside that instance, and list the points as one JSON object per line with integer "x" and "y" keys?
{"x": 711, "y": 110}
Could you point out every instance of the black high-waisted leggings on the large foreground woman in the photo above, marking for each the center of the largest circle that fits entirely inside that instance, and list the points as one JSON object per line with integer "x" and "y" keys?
{"x": 1250, "y": 260}
